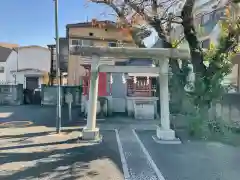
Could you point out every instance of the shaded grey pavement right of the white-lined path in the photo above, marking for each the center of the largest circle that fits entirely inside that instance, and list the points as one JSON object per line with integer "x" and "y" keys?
{"x": 194, "y": 160}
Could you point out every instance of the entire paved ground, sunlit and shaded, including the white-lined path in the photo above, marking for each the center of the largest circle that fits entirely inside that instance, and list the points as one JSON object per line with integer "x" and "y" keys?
{"x": 35, "y": 152}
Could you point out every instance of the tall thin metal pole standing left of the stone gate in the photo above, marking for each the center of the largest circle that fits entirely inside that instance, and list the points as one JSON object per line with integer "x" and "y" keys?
{"x": 58, "y": 117}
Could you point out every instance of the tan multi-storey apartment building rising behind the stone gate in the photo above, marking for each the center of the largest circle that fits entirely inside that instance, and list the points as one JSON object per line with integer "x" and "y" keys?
{"x": 94, "y": 33}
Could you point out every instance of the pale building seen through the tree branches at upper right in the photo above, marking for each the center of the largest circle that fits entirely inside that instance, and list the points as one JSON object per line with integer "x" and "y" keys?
{"x": 207, "y": 16}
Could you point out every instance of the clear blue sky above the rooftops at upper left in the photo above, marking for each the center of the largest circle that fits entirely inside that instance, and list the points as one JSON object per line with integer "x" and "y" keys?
{"x": 31, "y": 22}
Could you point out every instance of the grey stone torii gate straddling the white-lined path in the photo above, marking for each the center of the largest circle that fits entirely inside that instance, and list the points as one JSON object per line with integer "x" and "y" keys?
{"x": 91, "y": 132}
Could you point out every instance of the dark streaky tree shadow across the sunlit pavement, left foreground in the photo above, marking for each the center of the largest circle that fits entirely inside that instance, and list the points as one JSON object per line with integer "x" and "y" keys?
{"x": 63, "y": 164}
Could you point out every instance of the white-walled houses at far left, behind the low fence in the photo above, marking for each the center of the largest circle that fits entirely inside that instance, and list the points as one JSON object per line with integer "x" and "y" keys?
{"x": 27, "y": 65}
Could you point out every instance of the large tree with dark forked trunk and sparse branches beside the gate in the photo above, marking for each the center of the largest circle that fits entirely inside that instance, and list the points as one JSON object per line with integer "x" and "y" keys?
{"x": 159, "y": 14}
